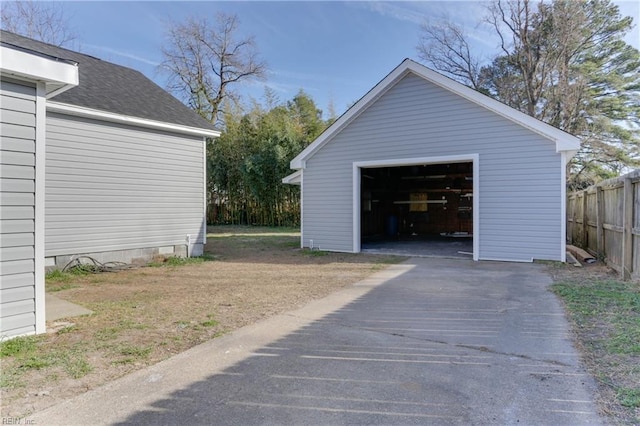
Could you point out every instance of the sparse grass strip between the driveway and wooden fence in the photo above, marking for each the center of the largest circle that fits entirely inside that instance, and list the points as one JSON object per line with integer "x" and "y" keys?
{"x": 605, "y": 314}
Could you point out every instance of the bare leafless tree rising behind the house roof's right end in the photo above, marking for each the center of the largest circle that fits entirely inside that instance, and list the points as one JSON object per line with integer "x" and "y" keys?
{"x": 206, "y": 61}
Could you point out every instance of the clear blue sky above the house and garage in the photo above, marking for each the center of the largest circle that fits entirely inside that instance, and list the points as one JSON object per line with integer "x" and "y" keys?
{"x": 335, "y": 51}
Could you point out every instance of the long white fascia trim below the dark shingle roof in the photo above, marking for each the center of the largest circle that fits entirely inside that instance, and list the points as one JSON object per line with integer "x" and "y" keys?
{"x": 127, "y": 119}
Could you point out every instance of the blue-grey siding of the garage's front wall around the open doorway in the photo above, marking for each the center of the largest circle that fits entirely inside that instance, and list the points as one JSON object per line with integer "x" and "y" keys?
{"x": 520, "y": 198}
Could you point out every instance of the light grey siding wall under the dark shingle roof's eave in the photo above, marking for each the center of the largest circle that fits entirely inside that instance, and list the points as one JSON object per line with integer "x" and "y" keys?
{"x": 112, "y": 188}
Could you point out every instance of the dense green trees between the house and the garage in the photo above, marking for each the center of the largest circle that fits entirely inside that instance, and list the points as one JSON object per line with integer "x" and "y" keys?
{"x": 247, "y": 163}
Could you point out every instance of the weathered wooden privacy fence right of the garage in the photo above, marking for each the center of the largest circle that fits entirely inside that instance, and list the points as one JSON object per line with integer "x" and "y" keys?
{"x": 605, "y": 220}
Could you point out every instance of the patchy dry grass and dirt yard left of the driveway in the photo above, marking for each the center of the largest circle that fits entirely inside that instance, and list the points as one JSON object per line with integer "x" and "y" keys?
{"x": 146, "y": 315}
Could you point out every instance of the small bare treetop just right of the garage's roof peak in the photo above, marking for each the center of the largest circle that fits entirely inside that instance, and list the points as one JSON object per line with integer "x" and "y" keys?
{"x": 443, "y": 45}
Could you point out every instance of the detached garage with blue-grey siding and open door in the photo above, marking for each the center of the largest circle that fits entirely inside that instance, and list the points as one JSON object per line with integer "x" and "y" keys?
{"x": 423, "y": 158}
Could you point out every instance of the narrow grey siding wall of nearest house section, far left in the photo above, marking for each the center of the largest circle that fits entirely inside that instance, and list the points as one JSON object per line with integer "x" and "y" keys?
{"x": 17, "y": 209}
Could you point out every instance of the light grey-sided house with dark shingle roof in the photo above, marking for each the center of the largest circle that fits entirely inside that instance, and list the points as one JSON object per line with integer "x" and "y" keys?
{"x": 96, "y": 160}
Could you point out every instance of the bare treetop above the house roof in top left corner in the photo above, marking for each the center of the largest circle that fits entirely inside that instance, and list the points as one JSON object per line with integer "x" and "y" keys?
{"x": 38, "y": 20}
